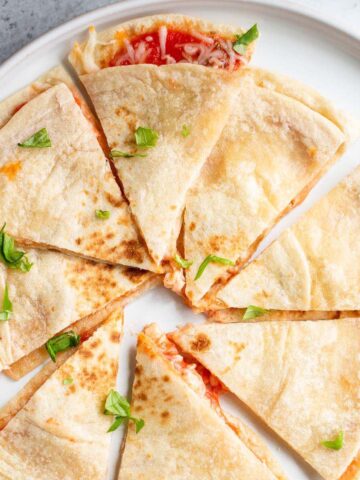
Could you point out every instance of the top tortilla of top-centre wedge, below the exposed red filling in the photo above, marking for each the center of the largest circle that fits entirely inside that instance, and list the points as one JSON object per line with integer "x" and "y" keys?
{"x": 162, "y": 98}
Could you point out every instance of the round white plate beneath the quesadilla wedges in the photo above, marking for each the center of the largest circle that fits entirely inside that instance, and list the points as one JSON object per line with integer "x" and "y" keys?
{"x": 301, "y": 46}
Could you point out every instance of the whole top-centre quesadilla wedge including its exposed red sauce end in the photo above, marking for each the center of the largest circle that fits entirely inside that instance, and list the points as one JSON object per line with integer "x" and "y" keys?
{"x": 192, "y": 103}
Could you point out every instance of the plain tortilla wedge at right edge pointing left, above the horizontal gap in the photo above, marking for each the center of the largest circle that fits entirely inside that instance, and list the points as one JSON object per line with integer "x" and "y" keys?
{"x": 314, "y": 265}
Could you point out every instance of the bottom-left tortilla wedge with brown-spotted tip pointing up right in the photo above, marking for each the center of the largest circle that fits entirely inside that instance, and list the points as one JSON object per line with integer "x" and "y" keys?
{"x": 62, "y": 431}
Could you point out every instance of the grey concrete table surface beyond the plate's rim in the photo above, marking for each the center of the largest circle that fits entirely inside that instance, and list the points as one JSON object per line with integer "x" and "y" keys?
{"x": 24, "y": 20}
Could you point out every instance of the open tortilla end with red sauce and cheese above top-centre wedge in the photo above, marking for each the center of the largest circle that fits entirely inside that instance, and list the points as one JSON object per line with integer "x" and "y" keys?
{"x": 163, "y": 39}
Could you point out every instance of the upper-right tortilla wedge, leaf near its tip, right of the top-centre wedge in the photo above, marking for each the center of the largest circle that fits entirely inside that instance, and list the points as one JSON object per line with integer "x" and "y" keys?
{"x": 271, "y": 152}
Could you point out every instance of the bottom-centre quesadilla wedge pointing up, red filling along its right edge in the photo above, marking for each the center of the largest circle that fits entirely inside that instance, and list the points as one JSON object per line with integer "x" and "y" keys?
{"x": 186, "y": 433}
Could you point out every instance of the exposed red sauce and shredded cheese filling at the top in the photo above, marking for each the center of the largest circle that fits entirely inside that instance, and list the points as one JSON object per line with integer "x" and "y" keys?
{"x": 169, "y": 46}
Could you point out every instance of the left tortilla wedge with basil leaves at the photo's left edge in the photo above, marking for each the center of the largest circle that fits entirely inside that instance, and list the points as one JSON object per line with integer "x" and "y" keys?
{"x": 58, "y": 291}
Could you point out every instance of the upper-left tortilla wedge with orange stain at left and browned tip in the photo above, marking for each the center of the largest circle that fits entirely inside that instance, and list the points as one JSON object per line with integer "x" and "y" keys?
{"x": 49, "y": 195}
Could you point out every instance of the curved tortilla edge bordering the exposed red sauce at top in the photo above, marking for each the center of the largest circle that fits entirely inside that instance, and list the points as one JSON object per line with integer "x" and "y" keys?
{"x": 97, "y": 51}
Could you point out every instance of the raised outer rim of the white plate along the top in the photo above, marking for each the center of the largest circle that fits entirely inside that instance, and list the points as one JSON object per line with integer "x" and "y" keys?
{"x": 323, "y": 20}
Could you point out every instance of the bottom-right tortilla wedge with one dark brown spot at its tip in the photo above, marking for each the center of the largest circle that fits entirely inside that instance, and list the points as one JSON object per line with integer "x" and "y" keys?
{"x": 301, "y": 378}
